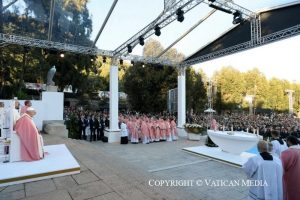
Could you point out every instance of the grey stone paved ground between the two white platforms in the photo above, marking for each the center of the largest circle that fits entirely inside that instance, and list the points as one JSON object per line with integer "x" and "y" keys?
{"x": 121, "y": 172}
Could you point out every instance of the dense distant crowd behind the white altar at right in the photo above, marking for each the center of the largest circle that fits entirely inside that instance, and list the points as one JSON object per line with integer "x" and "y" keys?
{"x": 263, "y": 124}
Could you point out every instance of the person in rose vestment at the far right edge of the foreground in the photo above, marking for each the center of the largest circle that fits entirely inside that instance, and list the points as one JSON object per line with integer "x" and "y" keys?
{"x": 291, "y": 165}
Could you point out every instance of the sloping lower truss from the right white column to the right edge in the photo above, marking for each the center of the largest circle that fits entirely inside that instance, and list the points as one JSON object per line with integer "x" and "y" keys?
{"x": 283, "y": 34}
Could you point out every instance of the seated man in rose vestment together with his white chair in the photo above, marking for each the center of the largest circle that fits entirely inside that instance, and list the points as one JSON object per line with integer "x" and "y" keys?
{"x": 26, "y": 142}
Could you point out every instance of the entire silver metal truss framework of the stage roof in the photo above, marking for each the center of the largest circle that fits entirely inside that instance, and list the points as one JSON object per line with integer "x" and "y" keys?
{"x": 165, "y": 18}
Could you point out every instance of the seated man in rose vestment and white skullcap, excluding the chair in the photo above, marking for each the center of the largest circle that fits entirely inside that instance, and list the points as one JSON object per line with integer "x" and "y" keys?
{"x": 31, "y": 141}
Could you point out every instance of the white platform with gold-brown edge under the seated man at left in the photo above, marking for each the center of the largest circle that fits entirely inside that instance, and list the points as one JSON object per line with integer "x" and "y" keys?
{"x": 58, "y": 161}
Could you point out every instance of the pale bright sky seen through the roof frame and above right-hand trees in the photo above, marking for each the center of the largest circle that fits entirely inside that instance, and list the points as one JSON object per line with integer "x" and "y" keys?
{"x": 279, "y": 59}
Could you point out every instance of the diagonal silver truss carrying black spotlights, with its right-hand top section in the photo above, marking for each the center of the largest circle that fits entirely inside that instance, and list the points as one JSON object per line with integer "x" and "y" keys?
{"x": 169, "y": 15}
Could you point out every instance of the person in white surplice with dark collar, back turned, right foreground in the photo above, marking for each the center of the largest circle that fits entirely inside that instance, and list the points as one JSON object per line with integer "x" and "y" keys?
{"x": 267, "y": 171}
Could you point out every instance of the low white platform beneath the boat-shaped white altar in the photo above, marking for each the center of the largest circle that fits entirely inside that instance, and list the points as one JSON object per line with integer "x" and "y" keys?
{"x": 219, "y": 155}
